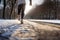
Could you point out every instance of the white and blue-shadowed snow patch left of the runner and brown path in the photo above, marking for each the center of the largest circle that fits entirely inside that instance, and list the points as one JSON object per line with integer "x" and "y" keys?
{"x": 7, "y": 27}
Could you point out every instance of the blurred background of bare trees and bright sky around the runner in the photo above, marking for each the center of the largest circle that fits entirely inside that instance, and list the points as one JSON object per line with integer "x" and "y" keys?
{"x": 40, "y": 9}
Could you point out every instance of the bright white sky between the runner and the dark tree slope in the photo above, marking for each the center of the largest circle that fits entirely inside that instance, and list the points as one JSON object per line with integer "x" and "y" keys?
{"x": 34, "y": 2}
